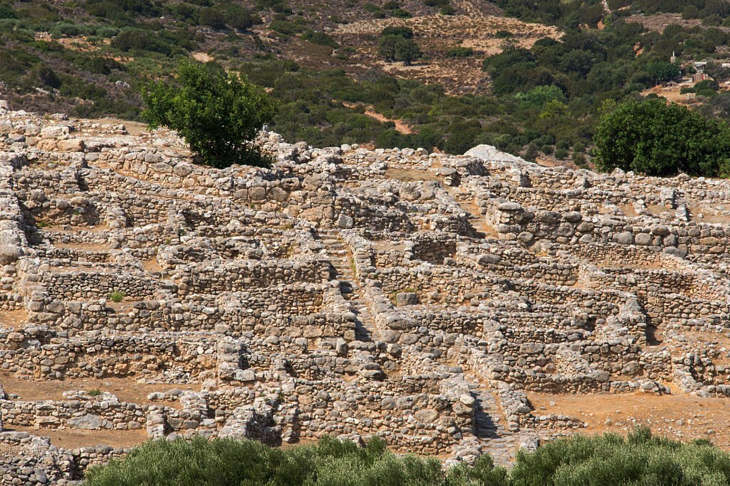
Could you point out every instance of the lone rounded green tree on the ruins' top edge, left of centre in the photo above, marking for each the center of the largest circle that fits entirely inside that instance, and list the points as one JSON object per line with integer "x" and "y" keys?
{"x": 218, "y": 115}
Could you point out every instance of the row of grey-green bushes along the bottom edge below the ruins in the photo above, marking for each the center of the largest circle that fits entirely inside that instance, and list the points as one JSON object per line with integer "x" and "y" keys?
{"x": 607, "y": 460}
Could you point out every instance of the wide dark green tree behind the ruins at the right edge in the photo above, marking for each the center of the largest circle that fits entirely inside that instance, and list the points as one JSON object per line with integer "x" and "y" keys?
{"x": 654, "y": 138}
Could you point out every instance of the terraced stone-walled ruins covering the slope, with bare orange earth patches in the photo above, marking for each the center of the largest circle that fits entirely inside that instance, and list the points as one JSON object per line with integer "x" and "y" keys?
{"x": 451, "y": 305}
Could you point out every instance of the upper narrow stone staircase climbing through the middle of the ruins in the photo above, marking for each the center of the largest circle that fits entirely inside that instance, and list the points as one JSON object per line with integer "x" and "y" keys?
{"x": 344, "y": 272}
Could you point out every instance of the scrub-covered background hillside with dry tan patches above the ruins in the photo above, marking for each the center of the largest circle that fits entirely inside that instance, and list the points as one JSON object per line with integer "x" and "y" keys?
{"x": 527, "y": 77}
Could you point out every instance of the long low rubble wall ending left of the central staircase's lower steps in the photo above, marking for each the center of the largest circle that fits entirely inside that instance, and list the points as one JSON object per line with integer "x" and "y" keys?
{"x": 300, "y": 309}
